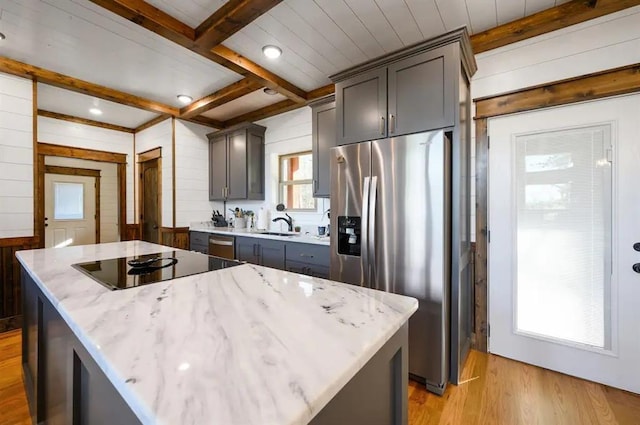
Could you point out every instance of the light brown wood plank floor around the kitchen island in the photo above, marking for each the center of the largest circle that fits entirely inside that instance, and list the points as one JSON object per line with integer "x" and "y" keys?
{"x": 499, "y": 391}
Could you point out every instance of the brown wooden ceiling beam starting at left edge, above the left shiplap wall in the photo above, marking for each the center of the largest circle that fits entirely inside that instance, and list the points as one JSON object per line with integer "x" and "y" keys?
{"x": 42, "y": 75}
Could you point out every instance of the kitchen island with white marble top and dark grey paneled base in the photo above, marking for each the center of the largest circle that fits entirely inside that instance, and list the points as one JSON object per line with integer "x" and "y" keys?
{"x": 242, "y": 345}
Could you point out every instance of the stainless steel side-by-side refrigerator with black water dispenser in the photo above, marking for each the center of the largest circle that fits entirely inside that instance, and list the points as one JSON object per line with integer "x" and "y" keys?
{"x": 391, "y": 229}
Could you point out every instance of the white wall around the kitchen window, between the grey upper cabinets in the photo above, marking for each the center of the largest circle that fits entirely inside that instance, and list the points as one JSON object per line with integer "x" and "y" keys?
{"x": 286, "y": 133}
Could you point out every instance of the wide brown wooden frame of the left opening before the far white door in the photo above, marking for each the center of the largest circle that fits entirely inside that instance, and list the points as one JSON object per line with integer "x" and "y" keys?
{"x": 46, "y": 149}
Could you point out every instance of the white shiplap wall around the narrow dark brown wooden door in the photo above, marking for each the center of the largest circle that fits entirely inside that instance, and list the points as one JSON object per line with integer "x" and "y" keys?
{"x": 161, "y": 135}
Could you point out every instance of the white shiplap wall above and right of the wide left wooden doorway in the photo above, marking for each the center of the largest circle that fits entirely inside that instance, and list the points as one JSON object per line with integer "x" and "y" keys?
{"x": 66, "y": 133}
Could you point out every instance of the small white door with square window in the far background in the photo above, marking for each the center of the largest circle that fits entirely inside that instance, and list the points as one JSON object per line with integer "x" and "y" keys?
{"x": 69, "y": 210}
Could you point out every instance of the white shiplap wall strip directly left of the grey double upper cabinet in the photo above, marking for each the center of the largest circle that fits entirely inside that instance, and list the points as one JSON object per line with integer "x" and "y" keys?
{"x": 192, "y": 174}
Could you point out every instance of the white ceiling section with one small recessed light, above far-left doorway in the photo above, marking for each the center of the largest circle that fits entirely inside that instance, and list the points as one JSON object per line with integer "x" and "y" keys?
{"x": 63, "y": 101}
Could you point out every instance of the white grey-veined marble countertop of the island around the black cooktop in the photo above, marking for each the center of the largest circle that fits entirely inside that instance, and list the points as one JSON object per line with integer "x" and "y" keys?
{"x": 244, "y": 345}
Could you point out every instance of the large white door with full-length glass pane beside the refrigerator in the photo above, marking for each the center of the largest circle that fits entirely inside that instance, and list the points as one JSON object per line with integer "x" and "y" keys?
{"x": 564, "y": 217}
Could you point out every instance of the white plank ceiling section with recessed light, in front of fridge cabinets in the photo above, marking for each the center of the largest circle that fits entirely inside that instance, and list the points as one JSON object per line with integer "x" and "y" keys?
{"x": 323, "y": 37}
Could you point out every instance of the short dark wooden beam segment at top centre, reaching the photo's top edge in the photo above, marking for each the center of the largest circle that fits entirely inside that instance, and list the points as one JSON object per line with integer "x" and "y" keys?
{"x": 229, "y": 19}
